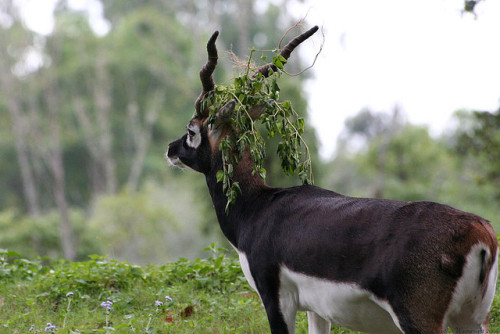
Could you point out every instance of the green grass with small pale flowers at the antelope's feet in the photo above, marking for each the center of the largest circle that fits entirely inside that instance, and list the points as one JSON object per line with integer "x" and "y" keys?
{"x": 204, "y": 296}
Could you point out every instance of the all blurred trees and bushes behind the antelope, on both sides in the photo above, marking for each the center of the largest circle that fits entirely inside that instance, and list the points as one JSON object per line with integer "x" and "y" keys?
{"x": 85, "y": 120}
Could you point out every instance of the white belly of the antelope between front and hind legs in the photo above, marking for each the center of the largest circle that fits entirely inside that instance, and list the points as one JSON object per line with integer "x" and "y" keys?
{"x": 342, "y": 304}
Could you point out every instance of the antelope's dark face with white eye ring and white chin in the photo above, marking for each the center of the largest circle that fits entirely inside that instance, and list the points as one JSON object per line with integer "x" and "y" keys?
{"x": 191, "y": 150}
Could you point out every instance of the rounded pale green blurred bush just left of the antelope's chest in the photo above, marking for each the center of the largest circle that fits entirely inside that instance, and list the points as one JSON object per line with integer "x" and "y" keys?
{"x": 153, "y": 225}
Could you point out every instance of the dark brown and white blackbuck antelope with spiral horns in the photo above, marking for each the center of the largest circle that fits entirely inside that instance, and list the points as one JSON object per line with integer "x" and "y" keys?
{"x": 372, "y": 265}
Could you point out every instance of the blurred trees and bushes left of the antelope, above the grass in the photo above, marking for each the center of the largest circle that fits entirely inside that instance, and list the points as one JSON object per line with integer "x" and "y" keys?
{"x": 85, "y": 126}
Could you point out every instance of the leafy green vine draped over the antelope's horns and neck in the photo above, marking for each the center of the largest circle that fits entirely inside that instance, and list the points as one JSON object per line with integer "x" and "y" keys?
{"x": 259, "y": 88}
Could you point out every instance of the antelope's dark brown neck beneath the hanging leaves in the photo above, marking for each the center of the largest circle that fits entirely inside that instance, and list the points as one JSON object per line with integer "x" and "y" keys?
{"x": 252, "y": 187}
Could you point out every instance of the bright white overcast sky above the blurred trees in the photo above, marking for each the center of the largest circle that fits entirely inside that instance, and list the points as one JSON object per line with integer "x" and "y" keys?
{"x": 422, "y": 55}
